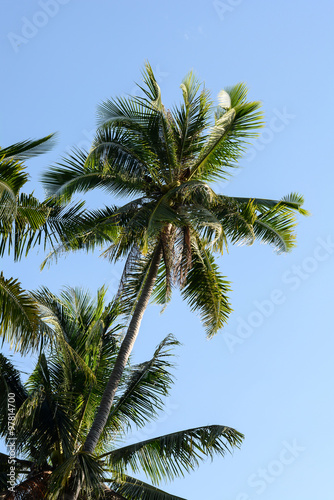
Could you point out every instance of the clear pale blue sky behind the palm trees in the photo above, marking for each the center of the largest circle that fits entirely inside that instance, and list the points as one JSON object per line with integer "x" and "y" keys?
{"x": 269, "y": 374}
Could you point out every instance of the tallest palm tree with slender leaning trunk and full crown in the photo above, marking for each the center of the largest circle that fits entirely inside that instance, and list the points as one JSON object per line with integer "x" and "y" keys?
{"x": 173, "y": 222}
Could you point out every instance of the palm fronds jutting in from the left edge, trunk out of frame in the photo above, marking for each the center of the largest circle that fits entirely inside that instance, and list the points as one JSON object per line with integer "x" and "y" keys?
{"x": 24, "y": 222}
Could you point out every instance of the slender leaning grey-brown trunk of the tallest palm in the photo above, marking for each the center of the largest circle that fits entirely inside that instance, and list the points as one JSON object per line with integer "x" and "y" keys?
{"x": 121, "y": 361}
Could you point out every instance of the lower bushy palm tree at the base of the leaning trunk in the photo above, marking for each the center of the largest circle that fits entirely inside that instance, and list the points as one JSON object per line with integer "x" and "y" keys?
{"x": 55, "y": 408}
